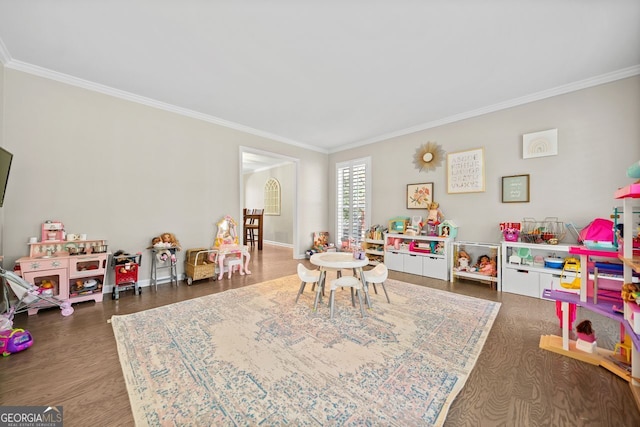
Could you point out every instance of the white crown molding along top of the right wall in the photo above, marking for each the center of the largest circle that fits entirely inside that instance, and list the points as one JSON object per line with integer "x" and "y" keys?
{"x": 560, "y": 90}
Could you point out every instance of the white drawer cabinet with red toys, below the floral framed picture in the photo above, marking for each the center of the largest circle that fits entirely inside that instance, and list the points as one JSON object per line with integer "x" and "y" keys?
{"x": 420, "y": 255}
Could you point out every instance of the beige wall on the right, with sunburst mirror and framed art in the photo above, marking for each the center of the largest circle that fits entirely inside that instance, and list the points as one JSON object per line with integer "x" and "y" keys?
{"x": 599, "y": 137}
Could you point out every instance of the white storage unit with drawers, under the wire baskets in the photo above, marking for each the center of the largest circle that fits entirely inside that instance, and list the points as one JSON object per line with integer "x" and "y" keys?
{"x": 524, "y": 276}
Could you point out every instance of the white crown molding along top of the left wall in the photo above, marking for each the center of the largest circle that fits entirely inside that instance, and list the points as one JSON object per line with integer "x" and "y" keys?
{"x": 96, "y": 87}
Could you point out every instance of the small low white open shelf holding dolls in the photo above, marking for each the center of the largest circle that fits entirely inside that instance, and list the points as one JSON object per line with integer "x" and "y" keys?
{"x": 475, "y": 251}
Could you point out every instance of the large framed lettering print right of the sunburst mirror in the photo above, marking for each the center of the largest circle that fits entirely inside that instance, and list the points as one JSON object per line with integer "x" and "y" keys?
{"x": 465, "y": 171}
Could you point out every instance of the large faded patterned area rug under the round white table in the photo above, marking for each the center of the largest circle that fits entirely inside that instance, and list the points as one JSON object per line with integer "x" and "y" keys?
{"x": 252, "y": 356}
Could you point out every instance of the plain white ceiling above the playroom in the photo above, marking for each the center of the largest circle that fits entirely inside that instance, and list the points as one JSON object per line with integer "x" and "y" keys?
{"x": 325, "y": 75}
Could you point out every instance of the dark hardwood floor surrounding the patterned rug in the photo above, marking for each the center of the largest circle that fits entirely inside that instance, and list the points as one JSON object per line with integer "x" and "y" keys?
{"x": 74, "y": 362}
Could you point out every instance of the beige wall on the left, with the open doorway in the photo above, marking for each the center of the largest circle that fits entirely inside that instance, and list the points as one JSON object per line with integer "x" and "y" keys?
{"x": 126, "y": 172}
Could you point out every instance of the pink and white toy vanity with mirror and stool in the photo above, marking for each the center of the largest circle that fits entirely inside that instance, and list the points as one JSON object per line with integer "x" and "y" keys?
{"x": 230, "y": 253}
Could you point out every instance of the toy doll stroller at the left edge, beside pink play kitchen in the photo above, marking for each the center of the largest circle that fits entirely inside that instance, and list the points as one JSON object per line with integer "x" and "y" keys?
{"x": 29, "y": 296}
